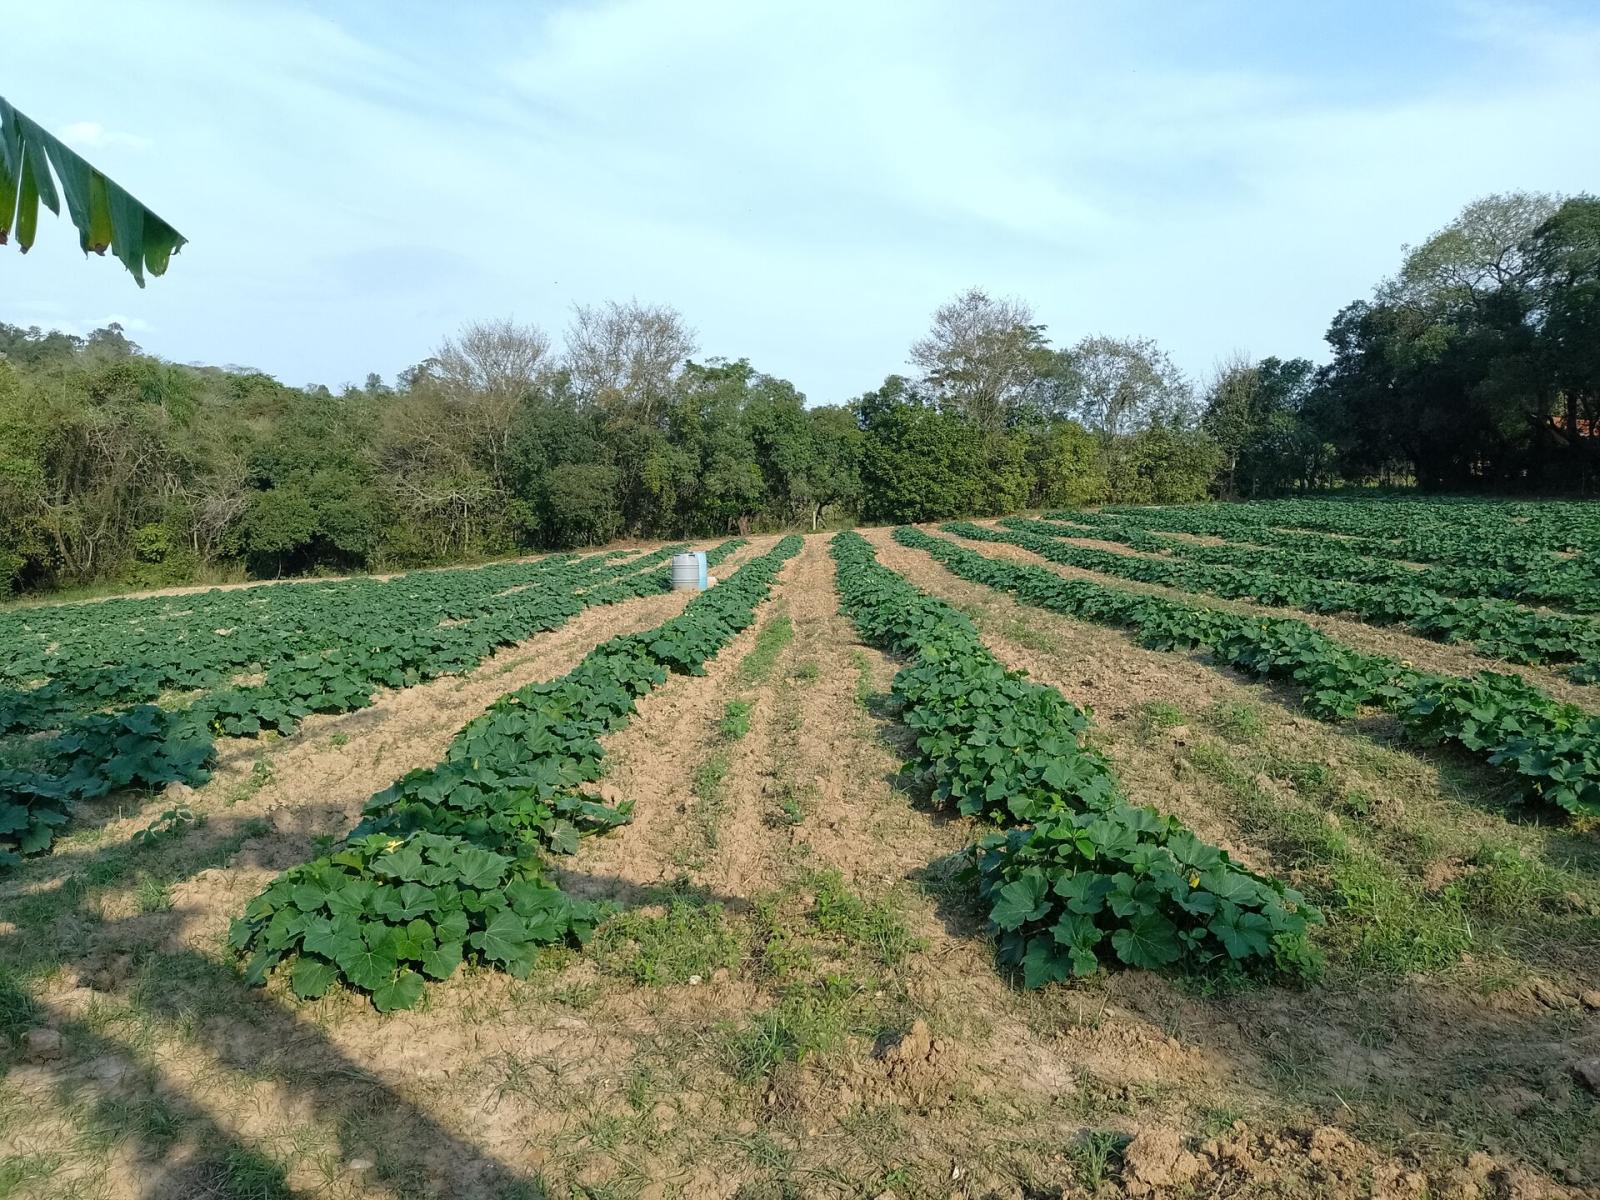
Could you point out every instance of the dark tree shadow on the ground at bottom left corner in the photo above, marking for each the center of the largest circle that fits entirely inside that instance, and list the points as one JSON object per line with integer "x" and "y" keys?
{"x": 126, "y": 1094}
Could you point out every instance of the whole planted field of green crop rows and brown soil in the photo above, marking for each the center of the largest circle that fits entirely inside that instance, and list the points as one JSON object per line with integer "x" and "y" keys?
{"x": 1228, "y": 850}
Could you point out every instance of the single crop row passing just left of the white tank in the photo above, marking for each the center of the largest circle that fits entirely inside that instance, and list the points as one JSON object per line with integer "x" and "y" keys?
{"x": 151, "y": 746}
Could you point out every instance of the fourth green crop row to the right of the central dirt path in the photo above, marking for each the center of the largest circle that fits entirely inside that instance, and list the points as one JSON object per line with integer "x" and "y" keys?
{"x": 1335, "y": 559}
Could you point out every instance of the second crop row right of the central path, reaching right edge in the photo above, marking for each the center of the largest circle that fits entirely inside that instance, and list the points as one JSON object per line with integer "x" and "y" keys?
{"x": 1551, "y": 750}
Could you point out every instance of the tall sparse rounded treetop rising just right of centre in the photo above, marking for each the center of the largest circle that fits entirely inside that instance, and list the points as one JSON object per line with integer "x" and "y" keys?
{"x": 983, "y": 359}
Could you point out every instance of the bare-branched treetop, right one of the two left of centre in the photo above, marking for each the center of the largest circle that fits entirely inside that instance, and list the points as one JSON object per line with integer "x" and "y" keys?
{"x": 626, "y": 358}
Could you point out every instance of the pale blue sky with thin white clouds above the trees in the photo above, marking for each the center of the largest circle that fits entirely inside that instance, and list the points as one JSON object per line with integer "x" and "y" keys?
{"x": 804, "y": 182}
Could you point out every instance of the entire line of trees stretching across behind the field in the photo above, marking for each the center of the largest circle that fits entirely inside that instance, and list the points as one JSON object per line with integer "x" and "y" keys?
{"x": 1478, "y": 366}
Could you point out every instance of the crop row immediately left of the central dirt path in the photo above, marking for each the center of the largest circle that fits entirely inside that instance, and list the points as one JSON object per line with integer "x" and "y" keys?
{"x": 450, "y": 863}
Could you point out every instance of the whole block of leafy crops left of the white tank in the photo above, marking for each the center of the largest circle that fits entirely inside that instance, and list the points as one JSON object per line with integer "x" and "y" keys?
{"x": 86, "y": 674}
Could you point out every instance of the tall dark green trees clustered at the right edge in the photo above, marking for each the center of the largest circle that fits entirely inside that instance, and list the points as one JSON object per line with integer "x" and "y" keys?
{"x": 1476, "y": 367}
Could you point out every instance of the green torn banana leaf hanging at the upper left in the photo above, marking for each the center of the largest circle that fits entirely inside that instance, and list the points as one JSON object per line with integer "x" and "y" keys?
{"x": 105, "y": 214}
